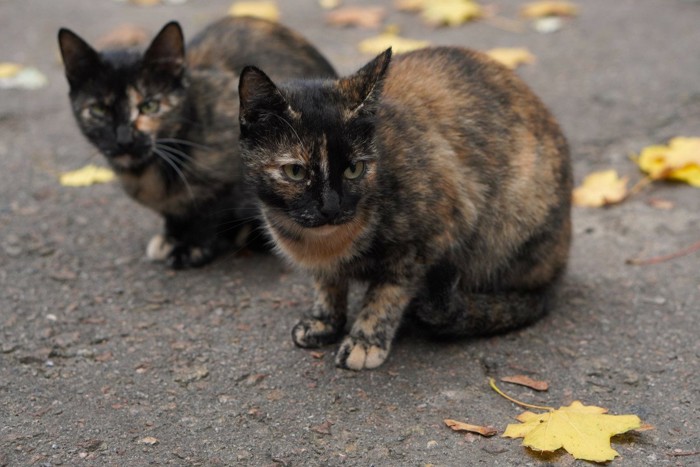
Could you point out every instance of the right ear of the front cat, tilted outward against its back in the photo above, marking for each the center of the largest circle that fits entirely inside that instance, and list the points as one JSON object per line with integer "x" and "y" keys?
{"x": 362, "y": 90}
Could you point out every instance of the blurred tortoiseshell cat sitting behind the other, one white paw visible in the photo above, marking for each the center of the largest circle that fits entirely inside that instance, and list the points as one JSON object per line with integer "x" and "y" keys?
{"x": 167, "y": 123}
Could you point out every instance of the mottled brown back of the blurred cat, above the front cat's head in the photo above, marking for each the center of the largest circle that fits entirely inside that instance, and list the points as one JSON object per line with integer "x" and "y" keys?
{"x": 235, "y": 42}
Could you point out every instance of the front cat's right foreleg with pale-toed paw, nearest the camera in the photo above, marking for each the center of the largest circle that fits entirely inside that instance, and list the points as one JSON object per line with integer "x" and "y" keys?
{"x": 369, "y": 341}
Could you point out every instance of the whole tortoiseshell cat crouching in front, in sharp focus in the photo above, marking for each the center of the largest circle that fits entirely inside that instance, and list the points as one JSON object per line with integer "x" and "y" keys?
{"x": 438, "y": 178}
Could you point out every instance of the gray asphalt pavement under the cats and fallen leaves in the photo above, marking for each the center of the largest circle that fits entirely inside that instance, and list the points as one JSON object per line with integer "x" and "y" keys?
{"x": 107, "y": 359}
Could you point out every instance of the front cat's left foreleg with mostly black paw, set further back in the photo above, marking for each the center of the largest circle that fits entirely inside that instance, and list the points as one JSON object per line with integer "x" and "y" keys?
{"x": 325, "y": 323}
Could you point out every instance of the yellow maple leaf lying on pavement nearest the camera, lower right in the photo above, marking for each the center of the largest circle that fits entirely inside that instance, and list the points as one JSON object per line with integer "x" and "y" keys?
{"x": 582, "y": 430}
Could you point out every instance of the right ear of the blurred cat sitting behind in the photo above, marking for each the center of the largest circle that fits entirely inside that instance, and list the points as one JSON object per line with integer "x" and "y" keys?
{"x": 167, "y": 51}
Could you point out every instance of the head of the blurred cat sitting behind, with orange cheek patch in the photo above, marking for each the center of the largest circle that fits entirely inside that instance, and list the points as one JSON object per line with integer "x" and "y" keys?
{"x": 123, "y": 100}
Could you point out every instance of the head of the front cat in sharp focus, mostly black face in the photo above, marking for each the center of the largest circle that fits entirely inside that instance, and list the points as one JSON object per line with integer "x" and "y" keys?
{"x": 308, "y": 146}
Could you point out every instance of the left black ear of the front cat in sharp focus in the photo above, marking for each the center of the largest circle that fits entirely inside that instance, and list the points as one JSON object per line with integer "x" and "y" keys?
{"x": 258, "y": 96}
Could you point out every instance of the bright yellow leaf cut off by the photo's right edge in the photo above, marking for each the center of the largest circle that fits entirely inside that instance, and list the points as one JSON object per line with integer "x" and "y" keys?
{"x": 679, "y": 160}
